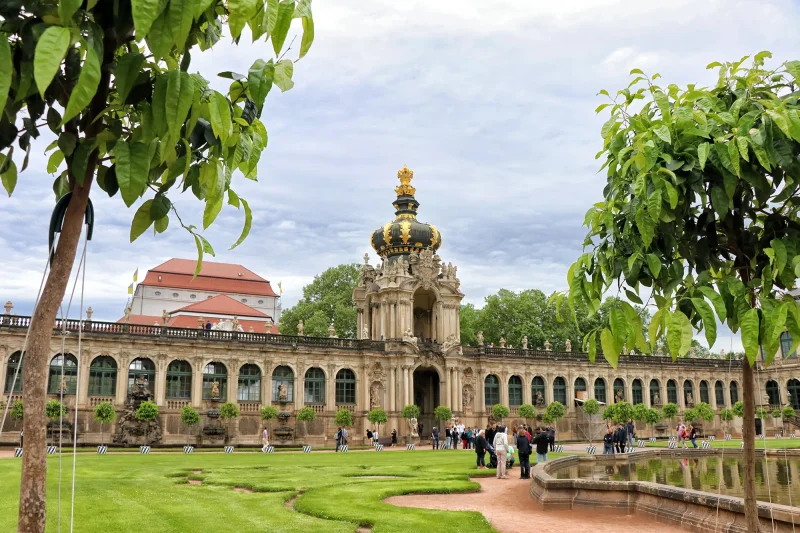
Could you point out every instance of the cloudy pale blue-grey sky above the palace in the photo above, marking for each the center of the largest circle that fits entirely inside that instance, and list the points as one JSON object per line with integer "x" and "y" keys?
{"x": 490, "y": 103}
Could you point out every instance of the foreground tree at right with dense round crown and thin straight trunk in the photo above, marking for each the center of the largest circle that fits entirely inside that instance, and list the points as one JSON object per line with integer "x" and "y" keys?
{"x": 699, "y": 209}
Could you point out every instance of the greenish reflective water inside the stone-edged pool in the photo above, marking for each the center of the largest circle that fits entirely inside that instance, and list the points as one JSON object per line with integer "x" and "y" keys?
{"x": 776, "y": 477}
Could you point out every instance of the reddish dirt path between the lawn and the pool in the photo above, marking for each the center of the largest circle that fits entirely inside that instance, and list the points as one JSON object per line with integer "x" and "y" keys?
{"x": 507, "y": 505}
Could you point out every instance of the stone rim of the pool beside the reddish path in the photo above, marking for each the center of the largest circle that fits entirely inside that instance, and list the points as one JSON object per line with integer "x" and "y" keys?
{"x": 689, "y": 509}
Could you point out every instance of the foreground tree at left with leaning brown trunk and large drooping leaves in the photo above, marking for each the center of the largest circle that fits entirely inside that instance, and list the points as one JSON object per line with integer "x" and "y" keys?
{"x": 112, "y": 81}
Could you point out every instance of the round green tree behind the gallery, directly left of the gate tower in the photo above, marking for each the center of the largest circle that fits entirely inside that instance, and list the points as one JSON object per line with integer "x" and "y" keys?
{"x": 326, "y": 300}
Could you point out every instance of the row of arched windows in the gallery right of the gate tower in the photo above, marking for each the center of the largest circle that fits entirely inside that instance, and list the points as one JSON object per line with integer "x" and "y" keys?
{"x": 492, "y": 391}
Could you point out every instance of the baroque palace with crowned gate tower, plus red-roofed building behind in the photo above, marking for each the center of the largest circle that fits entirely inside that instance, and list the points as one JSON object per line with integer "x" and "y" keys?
{"x": 408, "y": 352}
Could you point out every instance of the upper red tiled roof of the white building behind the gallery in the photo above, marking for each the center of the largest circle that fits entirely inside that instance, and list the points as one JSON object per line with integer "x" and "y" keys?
{"x": 215, "y": 277}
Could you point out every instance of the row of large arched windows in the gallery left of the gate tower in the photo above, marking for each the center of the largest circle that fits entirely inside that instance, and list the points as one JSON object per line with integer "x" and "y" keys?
{"x": 103, "y": 373}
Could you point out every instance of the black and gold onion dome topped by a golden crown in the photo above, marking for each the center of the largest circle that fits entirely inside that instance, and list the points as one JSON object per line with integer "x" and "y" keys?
{"x": 405, "y": 234}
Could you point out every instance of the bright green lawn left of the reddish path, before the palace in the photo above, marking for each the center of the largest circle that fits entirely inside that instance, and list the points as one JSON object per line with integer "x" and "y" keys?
{"x": 151, "y": 493}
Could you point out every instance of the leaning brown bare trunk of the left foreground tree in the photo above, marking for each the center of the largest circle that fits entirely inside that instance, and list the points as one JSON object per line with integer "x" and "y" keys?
{"x": 32, "y": 512}
